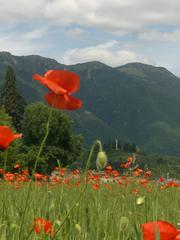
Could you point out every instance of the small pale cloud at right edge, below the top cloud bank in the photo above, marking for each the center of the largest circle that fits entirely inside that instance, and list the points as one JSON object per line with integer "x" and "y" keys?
{"x": 157, "y": 36}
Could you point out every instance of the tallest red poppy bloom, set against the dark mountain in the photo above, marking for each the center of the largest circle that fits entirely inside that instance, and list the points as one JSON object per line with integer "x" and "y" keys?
{"x": 62, "y": 84}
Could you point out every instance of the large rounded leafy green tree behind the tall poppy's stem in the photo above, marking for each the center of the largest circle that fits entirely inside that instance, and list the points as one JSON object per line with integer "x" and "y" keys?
{"x": 60, "y": 145}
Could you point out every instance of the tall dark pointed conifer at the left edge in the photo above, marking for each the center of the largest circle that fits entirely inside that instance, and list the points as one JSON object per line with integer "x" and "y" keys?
{"x": 12, "y": 101}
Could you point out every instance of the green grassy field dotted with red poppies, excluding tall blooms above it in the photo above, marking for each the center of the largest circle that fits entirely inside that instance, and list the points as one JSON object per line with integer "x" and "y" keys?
{"x": 72, "y": 205}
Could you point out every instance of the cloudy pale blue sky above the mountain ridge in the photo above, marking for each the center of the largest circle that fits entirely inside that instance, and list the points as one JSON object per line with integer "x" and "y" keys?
{"x": 115, "y": 32}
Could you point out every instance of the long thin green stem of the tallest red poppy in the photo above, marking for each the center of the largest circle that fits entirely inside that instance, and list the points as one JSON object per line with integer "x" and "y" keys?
{"x": 34, "y": 169}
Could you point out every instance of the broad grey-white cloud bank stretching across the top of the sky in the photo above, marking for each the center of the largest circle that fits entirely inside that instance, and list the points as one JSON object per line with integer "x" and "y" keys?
{"x": 118, "y": 16}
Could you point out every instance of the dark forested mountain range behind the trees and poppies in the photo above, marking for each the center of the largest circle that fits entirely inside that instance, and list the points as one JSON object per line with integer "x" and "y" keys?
{"x": 136, "y": 102}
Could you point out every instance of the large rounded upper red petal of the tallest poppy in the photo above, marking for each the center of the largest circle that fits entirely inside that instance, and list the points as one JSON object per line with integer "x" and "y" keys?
{"x": 67, "y": 80}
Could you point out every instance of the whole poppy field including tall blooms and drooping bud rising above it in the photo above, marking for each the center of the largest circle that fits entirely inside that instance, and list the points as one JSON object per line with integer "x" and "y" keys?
{"x": 73, "y": 204}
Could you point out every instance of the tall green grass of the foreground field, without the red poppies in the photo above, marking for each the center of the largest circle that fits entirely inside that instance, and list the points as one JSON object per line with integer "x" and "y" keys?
{"x": 109, "y": 213}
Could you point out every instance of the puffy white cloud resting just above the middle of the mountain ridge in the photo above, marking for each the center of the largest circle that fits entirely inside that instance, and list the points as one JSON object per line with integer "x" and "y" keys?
{"x": 107, "y": 53}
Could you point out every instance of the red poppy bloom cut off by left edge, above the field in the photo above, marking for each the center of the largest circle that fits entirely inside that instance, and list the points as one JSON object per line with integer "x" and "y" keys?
{"x": 7, "y": 136}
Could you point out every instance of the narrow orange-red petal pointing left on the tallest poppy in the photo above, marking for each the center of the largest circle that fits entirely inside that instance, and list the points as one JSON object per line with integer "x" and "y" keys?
{"x": 52, "y": 85}
